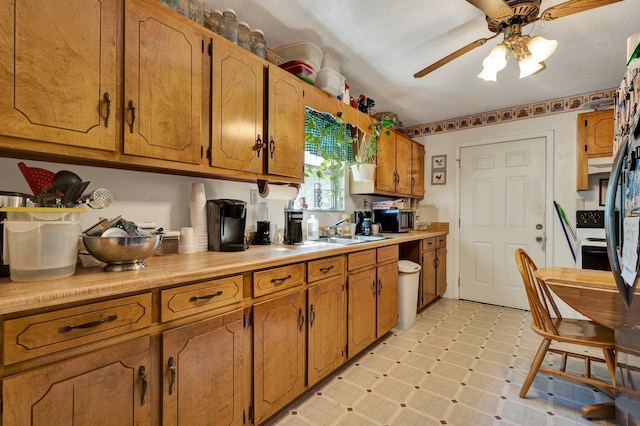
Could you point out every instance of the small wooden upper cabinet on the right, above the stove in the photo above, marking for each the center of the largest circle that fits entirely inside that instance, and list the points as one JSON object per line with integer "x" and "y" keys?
{"x": 594, "y": 139}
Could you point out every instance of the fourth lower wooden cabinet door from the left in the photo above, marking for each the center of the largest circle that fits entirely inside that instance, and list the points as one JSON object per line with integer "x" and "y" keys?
{"x": 327, "y": 328}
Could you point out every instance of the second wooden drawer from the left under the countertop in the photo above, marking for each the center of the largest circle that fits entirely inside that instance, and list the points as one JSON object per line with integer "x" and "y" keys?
{"x": 191, "y": 299}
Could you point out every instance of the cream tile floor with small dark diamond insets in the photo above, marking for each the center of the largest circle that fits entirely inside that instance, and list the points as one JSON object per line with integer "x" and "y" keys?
{"x": 461, "y": 364}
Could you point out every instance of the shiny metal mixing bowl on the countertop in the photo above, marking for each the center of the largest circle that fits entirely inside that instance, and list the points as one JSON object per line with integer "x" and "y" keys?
{"x": 122, "y": 253}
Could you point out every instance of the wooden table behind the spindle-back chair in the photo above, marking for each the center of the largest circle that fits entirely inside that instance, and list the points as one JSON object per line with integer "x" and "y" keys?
{"x": 595, "y": 295}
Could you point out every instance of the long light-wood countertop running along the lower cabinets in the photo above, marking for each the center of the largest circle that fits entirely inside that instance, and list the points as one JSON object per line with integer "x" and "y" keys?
{"x": 165, "y": 271}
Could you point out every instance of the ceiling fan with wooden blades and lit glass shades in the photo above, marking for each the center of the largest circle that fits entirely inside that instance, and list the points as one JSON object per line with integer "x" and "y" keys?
{"x": 508, "y": 17}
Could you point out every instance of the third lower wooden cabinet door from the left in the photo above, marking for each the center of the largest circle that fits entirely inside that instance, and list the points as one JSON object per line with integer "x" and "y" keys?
{"x": 279, "y": 340}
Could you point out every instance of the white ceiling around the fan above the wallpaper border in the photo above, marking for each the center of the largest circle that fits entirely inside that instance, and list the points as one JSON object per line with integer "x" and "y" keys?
{"x": 381, "y": 44}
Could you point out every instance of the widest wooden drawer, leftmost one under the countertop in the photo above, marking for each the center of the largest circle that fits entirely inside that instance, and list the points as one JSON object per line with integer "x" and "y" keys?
{"x": 41, "y": 334}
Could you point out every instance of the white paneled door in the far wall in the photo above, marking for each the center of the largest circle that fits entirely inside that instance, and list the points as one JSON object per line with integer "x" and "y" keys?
{"x": 502, "y": 208}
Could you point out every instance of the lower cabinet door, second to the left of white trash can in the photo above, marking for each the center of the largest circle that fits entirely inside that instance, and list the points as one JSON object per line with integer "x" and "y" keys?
{"x": 361, "y": 321}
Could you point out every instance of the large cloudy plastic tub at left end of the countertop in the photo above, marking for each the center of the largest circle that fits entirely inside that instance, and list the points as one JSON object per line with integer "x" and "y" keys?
{"x": 41, "y": 243}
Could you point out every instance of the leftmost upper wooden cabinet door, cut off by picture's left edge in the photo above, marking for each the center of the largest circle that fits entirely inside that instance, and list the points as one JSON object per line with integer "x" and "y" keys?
{"x": 57, "y": 64}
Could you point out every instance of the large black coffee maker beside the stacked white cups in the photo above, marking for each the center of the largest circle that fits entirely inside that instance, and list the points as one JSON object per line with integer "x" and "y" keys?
{"x": 225, "y": 225}
